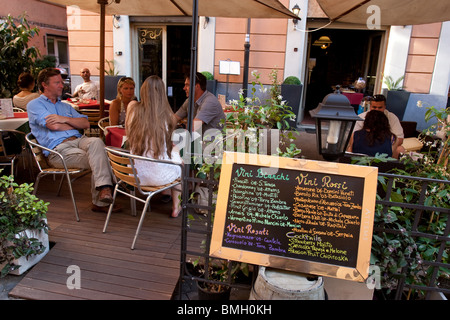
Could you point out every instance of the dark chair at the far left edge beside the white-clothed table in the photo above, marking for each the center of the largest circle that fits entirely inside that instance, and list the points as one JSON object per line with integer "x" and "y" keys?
{"x": 12, "y": 144}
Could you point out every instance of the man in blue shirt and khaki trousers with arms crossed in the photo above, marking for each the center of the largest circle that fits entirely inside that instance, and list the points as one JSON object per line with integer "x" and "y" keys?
{"x": 55, "y": 125}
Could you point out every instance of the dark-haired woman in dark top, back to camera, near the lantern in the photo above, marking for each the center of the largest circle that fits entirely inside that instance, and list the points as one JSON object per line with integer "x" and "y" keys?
{"x": 375, "y": 137}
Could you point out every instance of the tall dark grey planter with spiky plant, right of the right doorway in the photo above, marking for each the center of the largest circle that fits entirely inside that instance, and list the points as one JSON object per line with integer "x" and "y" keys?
{"x": 396, "y": 97}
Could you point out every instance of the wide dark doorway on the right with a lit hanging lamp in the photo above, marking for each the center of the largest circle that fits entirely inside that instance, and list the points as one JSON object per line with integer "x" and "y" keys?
{"x": 338, "y": 57}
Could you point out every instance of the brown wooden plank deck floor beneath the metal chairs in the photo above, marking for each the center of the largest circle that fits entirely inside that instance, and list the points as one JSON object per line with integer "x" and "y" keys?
{"x": 109, "y": 268}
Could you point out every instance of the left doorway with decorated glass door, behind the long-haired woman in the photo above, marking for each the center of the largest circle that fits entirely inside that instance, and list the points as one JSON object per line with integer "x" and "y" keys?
{"x": 165, "y": 51}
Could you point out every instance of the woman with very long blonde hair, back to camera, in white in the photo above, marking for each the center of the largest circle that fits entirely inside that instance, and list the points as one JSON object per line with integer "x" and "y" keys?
{"x": 149, "y": 128}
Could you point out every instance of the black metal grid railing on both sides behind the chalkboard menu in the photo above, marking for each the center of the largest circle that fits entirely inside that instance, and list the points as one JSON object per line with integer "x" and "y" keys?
{"x": 196, "y": 233}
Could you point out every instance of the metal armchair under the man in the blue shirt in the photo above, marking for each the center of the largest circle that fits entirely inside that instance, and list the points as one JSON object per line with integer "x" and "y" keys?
{"x": 46, "y": 169}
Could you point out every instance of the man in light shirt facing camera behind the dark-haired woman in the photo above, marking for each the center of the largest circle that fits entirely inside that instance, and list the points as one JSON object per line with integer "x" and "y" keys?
{"x": 378, "y": 102}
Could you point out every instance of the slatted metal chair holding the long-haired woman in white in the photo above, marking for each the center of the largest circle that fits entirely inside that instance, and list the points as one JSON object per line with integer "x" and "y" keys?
{"x": 122, "y": 163}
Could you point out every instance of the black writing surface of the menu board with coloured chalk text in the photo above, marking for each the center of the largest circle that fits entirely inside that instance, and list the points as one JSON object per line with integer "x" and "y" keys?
{"x": 312, "y": 216}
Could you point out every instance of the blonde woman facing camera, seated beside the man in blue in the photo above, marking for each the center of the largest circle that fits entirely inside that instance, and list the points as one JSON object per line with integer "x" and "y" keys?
{"x": 118, "y": 107}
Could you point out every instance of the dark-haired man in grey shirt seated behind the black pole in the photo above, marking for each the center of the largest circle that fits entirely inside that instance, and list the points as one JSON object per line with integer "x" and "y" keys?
{"x": 208, "y": 111}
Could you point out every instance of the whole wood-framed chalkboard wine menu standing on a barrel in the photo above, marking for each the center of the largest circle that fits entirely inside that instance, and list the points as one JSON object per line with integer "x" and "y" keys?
{"x": 300, "y": 215}
